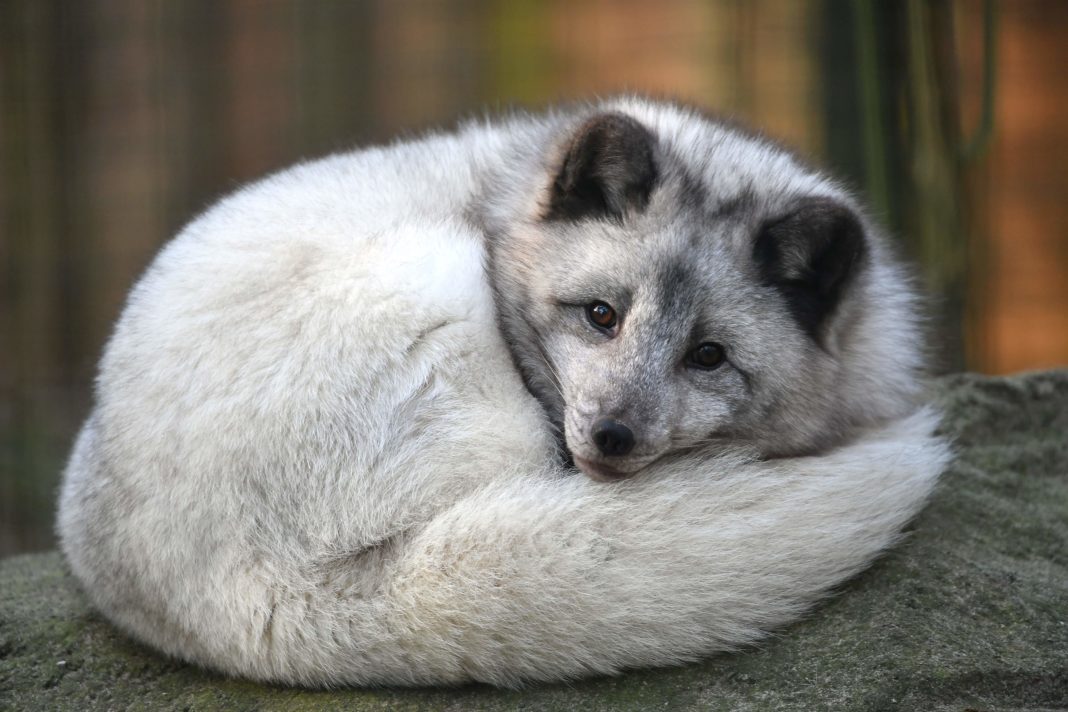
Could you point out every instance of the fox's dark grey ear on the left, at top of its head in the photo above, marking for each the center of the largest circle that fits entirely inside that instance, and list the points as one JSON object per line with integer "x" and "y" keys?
{"x": 609, "y": 169}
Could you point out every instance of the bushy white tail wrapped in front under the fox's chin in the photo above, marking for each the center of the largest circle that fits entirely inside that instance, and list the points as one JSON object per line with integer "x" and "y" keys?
{"x": 551, "y": 578}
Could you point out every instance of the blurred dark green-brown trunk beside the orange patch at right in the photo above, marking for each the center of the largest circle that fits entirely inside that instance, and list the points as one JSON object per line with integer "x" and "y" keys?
{"x": 914, "y": 165}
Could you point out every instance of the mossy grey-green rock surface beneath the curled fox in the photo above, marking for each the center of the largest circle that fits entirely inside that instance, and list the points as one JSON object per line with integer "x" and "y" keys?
{"x": 970, "y": 613}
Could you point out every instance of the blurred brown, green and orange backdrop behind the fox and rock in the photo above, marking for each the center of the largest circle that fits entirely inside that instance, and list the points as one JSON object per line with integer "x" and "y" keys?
{"x": 120, "y": 120}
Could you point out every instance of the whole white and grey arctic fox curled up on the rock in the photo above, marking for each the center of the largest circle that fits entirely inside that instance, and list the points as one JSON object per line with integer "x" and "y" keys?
{"x": 333, "y": 425}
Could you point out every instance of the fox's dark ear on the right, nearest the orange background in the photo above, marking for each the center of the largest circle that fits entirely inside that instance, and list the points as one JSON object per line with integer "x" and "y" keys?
{"x": 811, "y": 257}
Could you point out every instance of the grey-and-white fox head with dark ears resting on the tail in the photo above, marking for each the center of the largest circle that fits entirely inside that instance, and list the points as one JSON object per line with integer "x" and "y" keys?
{"x": 677, "y": 283}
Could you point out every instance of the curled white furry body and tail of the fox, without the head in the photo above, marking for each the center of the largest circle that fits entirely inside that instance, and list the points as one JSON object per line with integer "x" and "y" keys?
{"x": 312, "y": 462}
